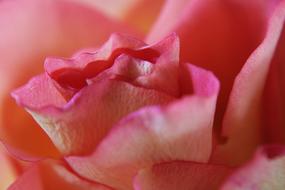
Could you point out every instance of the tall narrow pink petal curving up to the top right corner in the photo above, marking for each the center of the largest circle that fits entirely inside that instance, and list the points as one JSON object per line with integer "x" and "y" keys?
{"x": 243, "y": 119}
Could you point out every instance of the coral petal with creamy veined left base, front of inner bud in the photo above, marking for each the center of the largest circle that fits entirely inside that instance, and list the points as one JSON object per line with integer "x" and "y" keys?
{"x": 78, "y": 126}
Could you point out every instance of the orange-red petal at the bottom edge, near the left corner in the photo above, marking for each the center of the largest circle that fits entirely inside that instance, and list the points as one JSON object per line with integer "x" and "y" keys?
{"x": 49, "y": 175}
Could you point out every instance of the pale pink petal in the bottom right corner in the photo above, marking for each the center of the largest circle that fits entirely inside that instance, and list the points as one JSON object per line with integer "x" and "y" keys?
{"x": 265, "y": 171}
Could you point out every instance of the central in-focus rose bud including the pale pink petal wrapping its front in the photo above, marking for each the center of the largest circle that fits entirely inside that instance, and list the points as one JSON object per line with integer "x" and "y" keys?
{"x": 92, "y": 102}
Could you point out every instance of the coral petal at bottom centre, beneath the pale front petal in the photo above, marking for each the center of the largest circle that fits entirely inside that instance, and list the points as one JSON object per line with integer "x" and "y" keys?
{"x": 182, "y": 176}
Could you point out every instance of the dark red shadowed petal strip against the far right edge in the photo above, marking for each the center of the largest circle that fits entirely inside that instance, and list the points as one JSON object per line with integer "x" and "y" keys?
{"x": 273, "y": 102}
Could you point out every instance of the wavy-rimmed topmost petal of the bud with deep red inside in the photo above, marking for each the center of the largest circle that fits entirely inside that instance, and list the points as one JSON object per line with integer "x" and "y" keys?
{"x": 74, "y": 72}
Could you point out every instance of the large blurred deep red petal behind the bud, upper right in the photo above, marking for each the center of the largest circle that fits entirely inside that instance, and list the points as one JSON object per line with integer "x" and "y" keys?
{"x": 216, "y": 35}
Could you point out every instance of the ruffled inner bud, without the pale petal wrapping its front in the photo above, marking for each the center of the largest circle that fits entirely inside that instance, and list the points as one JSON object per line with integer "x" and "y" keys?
{"x": 121, "y": 77}
